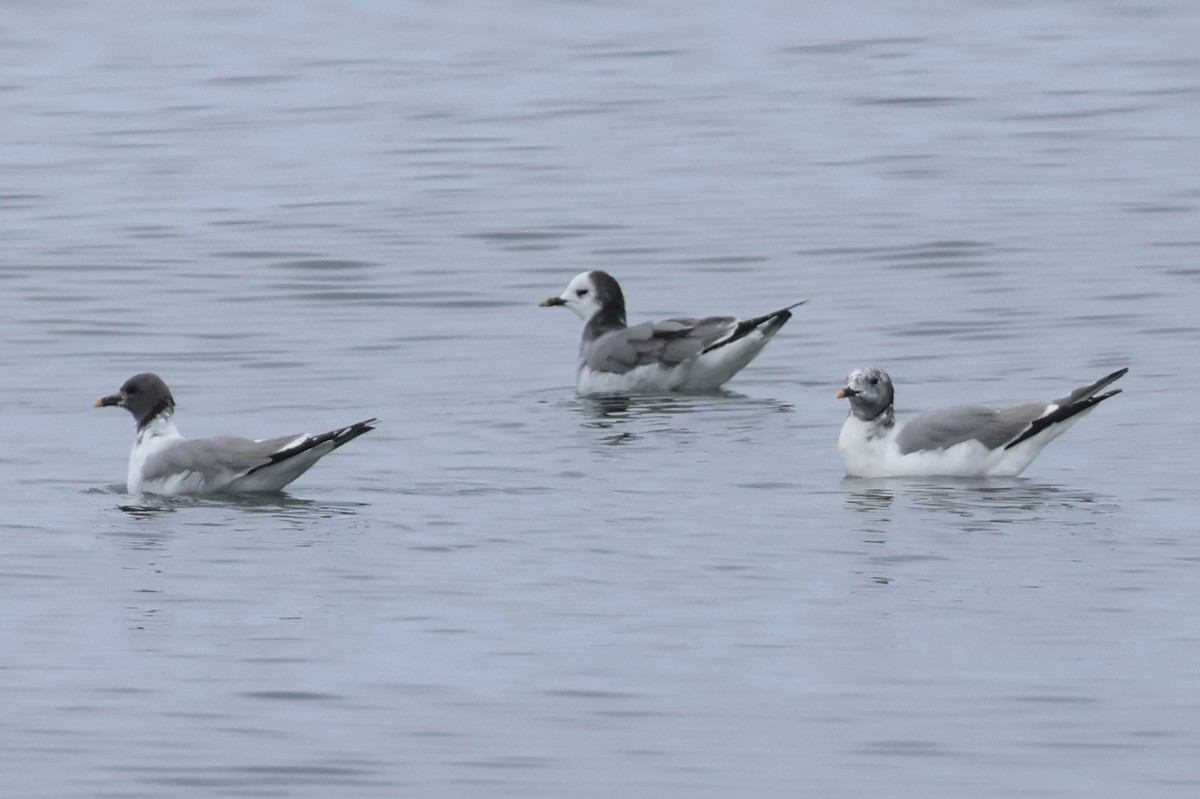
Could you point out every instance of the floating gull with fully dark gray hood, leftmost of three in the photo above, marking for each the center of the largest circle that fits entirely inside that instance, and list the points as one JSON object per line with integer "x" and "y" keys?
{"x": 164, "y": 462}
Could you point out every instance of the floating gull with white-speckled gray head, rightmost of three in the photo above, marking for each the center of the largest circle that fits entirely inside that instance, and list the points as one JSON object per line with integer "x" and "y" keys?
{"x": 961, "y": 441}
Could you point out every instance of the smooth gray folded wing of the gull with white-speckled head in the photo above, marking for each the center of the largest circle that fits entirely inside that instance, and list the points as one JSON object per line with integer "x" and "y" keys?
{"x": 945, "y": 428}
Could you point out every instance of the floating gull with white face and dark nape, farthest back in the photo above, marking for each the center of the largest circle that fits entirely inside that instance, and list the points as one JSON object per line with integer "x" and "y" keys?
{"x": 655, "y": 357}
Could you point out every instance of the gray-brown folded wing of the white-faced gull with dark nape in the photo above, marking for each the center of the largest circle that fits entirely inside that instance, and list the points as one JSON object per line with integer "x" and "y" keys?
{"x": 669, "y": 344}
